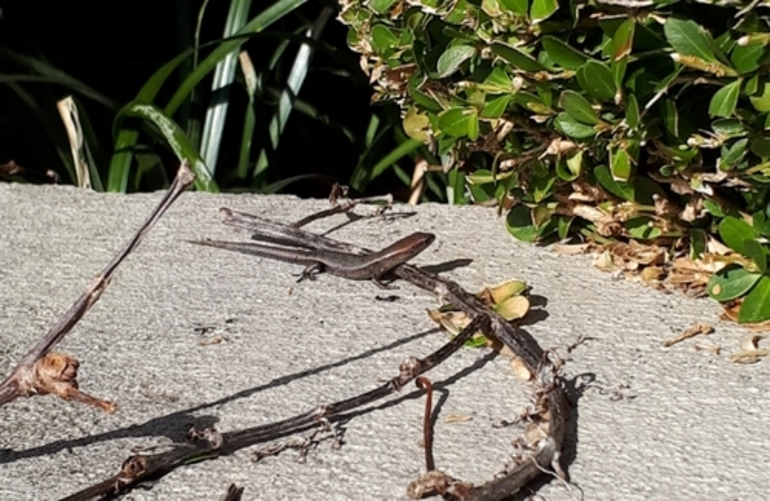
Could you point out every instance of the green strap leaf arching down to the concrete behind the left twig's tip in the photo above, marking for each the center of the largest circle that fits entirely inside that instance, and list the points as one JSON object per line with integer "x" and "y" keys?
{"x": 176, "y": 138}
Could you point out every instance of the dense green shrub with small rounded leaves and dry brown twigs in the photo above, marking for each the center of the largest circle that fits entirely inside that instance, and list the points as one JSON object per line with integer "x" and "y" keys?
{"x": 614, "y": 123}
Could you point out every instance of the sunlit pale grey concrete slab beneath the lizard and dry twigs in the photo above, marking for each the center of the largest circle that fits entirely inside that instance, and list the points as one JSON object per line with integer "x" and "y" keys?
{"x": 691, "y": 425}
